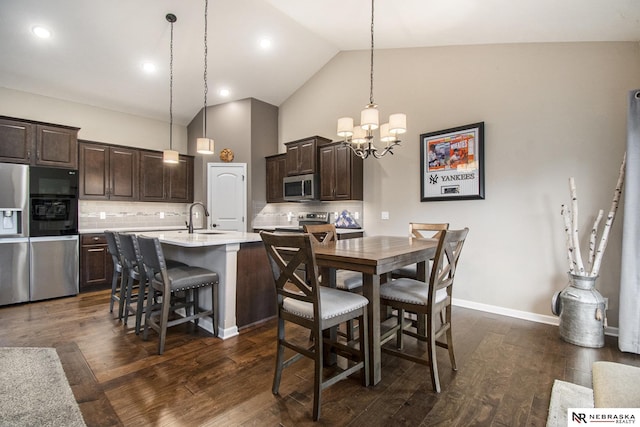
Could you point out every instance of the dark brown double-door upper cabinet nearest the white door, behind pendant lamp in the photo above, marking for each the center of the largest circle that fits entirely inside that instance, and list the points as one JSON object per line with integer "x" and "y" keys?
{"x": 160, "y": 182}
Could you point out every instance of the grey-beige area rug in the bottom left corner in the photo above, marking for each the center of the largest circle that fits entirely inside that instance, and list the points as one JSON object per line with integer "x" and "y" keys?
{"x": 34, "y": 390}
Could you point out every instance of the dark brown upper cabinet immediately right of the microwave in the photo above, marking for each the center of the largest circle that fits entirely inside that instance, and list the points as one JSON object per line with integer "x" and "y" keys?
{"x": 341, "y": 173}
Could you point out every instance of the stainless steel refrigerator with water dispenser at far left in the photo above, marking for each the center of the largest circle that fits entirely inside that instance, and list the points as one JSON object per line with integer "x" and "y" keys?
{"x": 35, "y": 265}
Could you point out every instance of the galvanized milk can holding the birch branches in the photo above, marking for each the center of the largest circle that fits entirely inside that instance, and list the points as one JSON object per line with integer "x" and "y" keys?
{"x": 582, "y": 311}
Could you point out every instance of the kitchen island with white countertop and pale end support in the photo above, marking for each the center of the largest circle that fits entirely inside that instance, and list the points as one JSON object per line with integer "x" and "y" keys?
{"x": 217, "y": 251}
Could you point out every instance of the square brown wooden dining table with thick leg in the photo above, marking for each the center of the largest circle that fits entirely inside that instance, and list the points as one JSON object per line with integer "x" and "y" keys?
{"x": 375, "y": 257}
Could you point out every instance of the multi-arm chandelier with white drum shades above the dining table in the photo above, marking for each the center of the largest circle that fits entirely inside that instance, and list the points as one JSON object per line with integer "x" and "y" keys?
{"x": 361, "y": 138}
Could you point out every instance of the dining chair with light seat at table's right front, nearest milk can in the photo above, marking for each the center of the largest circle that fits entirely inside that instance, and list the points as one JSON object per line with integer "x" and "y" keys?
{"x": 428, "y": 299}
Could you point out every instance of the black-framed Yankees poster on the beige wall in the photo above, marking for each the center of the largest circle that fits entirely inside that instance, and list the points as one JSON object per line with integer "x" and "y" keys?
{"x": 452, "y": 164}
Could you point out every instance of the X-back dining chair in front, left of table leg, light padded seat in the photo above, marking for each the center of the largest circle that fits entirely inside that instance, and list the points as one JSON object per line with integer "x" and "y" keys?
{"x": 304, "y": 302}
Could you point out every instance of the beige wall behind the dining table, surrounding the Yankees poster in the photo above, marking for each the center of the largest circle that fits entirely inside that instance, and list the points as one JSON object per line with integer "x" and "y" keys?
{"x": 551, "y": 111}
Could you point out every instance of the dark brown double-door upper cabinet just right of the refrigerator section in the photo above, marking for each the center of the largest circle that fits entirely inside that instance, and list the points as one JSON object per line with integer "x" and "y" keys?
{"x": 108, "y": 172}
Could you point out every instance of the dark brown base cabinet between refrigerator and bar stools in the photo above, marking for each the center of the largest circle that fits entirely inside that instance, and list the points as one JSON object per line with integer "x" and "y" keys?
{"x": 96, "y": 265}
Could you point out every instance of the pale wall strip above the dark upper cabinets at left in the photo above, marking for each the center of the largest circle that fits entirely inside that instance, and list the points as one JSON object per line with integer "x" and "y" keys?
{"x": 96, "y": 124}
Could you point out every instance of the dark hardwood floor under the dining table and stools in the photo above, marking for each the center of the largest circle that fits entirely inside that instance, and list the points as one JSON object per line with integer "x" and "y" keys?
{"x": 506, "y": 368}
